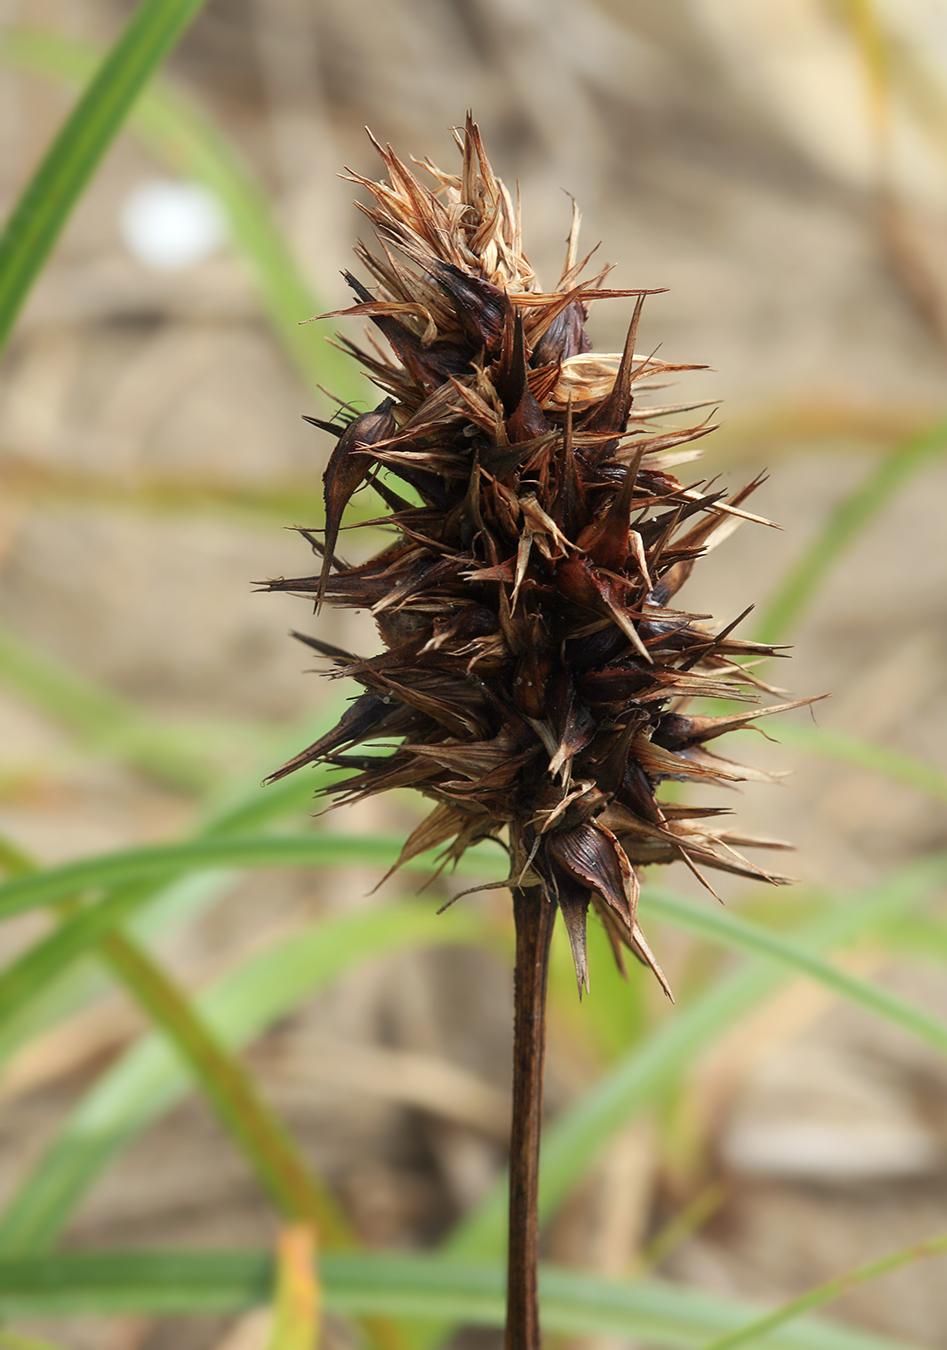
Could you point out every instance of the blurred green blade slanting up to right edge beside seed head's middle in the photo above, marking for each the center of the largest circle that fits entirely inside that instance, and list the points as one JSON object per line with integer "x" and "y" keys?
{"x": 845, "y": 524}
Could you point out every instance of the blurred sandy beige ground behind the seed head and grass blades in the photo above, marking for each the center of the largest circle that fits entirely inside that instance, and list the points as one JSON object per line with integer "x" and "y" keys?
{"x": 783, "y": 169}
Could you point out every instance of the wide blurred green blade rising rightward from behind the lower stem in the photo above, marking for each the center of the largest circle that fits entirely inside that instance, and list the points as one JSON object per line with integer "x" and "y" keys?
{"x": 640, "y": 1081}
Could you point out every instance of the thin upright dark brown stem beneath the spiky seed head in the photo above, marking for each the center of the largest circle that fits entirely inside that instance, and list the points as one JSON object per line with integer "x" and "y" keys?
{"x": 534, "y": 917}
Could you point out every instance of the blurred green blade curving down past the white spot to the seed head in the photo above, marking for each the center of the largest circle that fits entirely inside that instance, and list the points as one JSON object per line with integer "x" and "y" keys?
{"x": 178, "y": 132}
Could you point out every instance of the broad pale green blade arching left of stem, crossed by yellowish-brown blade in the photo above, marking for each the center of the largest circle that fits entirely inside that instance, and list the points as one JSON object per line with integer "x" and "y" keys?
{"x": 237, "y": 1008}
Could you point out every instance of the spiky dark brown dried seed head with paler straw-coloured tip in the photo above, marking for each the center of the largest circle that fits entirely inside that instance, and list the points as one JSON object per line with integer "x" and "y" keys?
{"x": 536, "y": 676}
